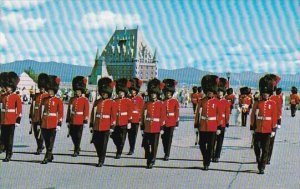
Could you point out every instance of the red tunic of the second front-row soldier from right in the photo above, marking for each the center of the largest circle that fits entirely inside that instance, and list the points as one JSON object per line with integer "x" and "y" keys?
{"x": 210, "y": 118}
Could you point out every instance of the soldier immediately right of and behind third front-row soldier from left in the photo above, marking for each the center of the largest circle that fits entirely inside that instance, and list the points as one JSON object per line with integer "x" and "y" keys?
{"x": 124, "y": 111}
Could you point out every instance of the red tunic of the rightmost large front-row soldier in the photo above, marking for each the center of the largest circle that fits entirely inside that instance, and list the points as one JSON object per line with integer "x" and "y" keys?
{"x": 265, "y": 114}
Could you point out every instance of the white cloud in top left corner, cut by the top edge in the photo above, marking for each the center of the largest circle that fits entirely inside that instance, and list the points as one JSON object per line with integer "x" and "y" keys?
{"x": 18, "y": 4}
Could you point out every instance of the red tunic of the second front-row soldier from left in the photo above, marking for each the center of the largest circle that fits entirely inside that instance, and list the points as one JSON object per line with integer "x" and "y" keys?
{"x": 53, "y": 112}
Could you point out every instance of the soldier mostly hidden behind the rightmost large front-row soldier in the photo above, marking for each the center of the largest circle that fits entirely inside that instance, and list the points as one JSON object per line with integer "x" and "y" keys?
{"x": 278, "y": 100}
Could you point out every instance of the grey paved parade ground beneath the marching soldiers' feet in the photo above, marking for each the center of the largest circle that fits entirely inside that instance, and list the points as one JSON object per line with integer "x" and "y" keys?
{"x": 236, "y": 169}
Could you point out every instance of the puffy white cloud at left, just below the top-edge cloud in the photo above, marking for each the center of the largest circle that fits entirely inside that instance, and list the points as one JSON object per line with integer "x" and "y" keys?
{"x": 18, "y": 22}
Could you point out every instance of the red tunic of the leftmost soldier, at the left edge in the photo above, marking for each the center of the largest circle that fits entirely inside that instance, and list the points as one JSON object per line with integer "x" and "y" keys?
{"x": 11, "y": 109}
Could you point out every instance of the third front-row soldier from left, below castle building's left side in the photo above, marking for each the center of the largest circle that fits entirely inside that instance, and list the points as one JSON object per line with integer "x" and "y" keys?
{"x": 103, "y": 118}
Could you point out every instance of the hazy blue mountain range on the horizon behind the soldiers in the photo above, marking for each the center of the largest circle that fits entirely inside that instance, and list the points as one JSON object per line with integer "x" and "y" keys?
{"x": 185, "y": 76}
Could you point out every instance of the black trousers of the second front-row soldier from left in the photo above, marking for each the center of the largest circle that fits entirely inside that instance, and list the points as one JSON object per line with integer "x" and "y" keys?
{"x": 49, "y": 137}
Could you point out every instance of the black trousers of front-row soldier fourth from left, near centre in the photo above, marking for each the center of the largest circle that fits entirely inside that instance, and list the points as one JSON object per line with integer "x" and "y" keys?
{"x": 150, "y": 143}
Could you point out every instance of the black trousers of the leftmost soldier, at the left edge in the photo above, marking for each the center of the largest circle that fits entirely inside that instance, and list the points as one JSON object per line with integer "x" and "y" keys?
{"x": 7, "y": 136}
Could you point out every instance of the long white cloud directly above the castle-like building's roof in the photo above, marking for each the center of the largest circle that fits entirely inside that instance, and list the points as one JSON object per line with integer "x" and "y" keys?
{"x": 108, "y": 19}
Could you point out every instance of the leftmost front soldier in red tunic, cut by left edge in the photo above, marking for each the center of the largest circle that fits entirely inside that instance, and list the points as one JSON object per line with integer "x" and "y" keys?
{"x": 11, "y": 113}
